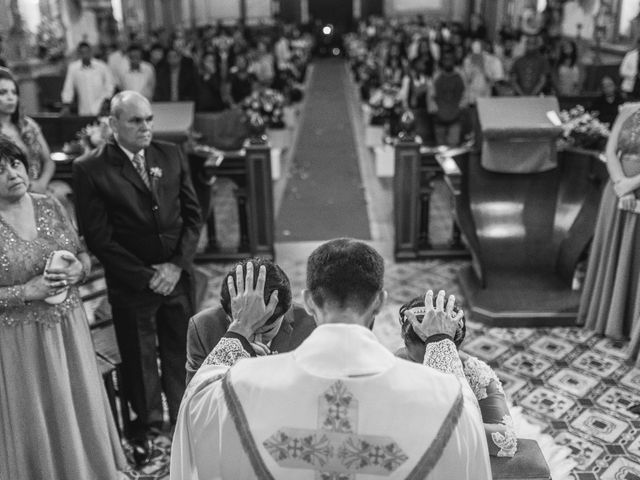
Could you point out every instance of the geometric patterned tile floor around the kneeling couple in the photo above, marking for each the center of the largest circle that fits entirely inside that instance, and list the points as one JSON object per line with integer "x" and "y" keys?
{"x": 574, "y": 384}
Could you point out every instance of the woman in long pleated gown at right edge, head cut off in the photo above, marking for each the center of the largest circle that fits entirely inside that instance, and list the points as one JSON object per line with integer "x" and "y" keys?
{"x": 610, "y": 303}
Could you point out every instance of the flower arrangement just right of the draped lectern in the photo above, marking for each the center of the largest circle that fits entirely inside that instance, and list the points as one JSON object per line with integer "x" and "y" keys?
{"x": 581, "y": 128}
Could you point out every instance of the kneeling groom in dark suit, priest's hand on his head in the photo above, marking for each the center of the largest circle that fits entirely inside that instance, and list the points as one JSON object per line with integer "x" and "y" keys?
{"x": 284, "y": 331}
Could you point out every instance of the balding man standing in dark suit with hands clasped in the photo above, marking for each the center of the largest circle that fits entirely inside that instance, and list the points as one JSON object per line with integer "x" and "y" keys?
{"x": 139, "y": 215}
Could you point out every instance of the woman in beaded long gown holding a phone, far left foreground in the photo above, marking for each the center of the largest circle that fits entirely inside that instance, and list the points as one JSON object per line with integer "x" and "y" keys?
{"x": 55, "y": 420}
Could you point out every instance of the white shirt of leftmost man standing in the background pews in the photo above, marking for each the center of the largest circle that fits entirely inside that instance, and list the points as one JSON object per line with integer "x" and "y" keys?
{"x": 91, "y": 85}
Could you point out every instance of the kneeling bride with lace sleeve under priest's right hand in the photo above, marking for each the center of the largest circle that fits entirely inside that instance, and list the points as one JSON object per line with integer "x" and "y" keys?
{"x": 484, "y": 382}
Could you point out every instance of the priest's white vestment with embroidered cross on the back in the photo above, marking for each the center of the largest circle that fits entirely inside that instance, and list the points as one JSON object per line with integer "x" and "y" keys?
{"x": 341, "y": 385}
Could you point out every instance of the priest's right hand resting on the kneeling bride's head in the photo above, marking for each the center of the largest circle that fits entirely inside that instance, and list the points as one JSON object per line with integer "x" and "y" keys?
{"x": 437, "y": 320}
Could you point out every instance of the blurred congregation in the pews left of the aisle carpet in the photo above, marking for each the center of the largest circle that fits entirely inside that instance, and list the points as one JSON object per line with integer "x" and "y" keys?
{"x": 208, "y": 65}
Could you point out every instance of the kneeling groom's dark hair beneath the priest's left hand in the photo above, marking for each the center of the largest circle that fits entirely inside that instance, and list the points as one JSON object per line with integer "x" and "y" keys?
{"x": 276, "y": 280}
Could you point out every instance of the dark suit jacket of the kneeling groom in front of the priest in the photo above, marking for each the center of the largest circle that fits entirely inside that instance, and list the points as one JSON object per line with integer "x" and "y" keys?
{"x": 208, "y": 327}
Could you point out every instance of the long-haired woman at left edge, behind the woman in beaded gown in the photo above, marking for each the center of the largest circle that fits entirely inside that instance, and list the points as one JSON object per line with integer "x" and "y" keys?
{"x": 24, "y": 132}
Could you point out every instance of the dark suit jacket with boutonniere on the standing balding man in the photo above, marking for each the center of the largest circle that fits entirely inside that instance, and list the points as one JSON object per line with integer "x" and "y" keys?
{"x": 130, "y": 227}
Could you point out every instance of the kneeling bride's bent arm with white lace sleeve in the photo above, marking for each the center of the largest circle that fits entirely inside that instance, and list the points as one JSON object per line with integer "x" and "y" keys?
{"x": 486, "y": 386}
